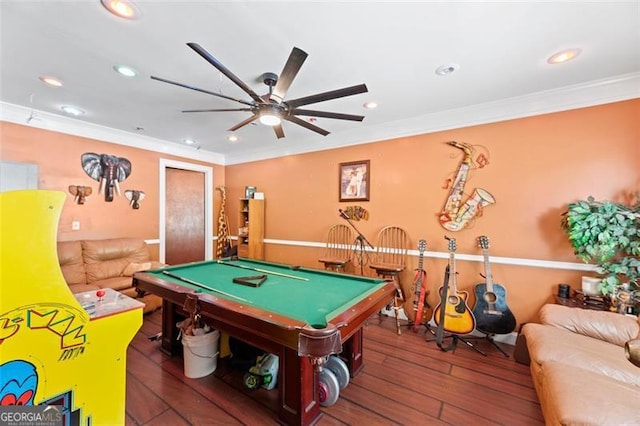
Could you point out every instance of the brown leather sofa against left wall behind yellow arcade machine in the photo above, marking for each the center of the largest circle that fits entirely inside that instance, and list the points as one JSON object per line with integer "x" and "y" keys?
{"x": 95, "y": 264}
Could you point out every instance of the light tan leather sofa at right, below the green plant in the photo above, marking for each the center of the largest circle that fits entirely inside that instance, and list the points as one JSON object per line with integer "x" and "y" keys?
{"x": 579, "y": 367}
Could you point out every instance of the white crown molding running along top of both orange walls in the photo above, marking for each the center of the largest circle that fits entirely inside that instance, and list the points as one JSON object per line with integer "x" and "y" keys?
{"x": 596, "y": 92}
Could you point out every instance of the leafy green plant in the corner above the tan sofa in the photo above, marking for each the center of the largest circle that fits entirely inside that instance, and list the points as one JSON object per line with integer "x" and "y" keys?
{"x": 606, "y": 234}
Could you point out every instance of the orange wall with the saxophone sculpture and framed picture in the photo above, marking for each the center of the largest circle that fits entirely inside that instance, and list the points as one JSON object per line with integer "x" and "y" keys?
{"x": 537, "y": 165}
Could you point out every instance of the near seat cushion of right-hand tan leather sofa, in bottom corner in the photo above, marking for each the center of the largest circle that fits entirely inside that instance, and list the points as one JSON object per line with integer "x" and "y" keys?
{"x": 573, "y": 396}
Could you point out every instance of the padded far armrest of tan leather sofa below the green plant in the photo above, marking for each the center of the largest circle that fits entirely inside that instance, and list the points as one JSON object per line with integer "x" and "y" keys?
{"x": 608, "y": 326}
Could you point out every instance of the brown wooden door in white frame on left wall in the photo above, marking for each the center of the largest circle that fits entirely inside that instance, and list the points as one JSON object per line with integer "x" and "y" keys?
{"x": 185, "y": 216}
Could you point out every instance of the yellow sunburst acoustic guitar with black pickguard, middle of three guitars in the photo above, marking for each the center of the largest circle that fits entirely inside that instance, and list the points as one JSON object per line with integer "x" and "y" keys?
{"x": 457, "y": 318}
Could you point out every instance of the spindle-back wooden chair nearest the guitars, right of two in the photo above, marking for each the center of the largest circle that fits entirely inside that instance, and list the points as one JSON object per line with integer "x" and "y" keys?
{"x": 390, "y": 259}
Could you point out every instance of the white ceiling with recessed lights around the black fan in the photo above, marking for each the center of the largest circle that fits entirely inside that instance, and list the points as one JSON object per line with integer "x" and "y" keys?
{"x": 392, "y": 47}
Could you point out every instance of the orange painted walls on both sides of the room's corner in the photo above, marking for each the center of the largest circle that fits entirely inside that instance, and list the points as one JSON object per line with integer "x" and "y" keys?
{"x": 537, "y": 165}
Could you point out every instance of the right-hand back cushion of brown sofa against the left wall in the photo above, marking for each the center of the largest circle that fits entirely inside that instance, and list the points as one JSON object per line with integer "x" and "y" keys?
{"x": 108, "y": 258}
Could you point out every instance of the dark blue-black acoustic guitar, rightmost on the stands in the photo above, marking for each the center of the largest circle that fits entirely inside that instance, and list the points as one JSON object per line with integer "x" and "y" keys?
{"x": 493, "y": 316}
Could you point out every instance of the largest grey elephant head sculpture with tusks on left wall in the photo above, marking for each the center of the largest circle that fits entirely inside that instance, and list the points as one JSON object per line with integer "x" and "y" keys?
{"x": 108, "y": 170}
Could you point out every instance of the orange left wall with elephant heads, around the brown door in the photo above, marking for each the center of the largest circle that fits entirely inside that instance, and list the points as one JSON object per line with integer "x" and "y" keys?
{"x": 58, "y": 158}
